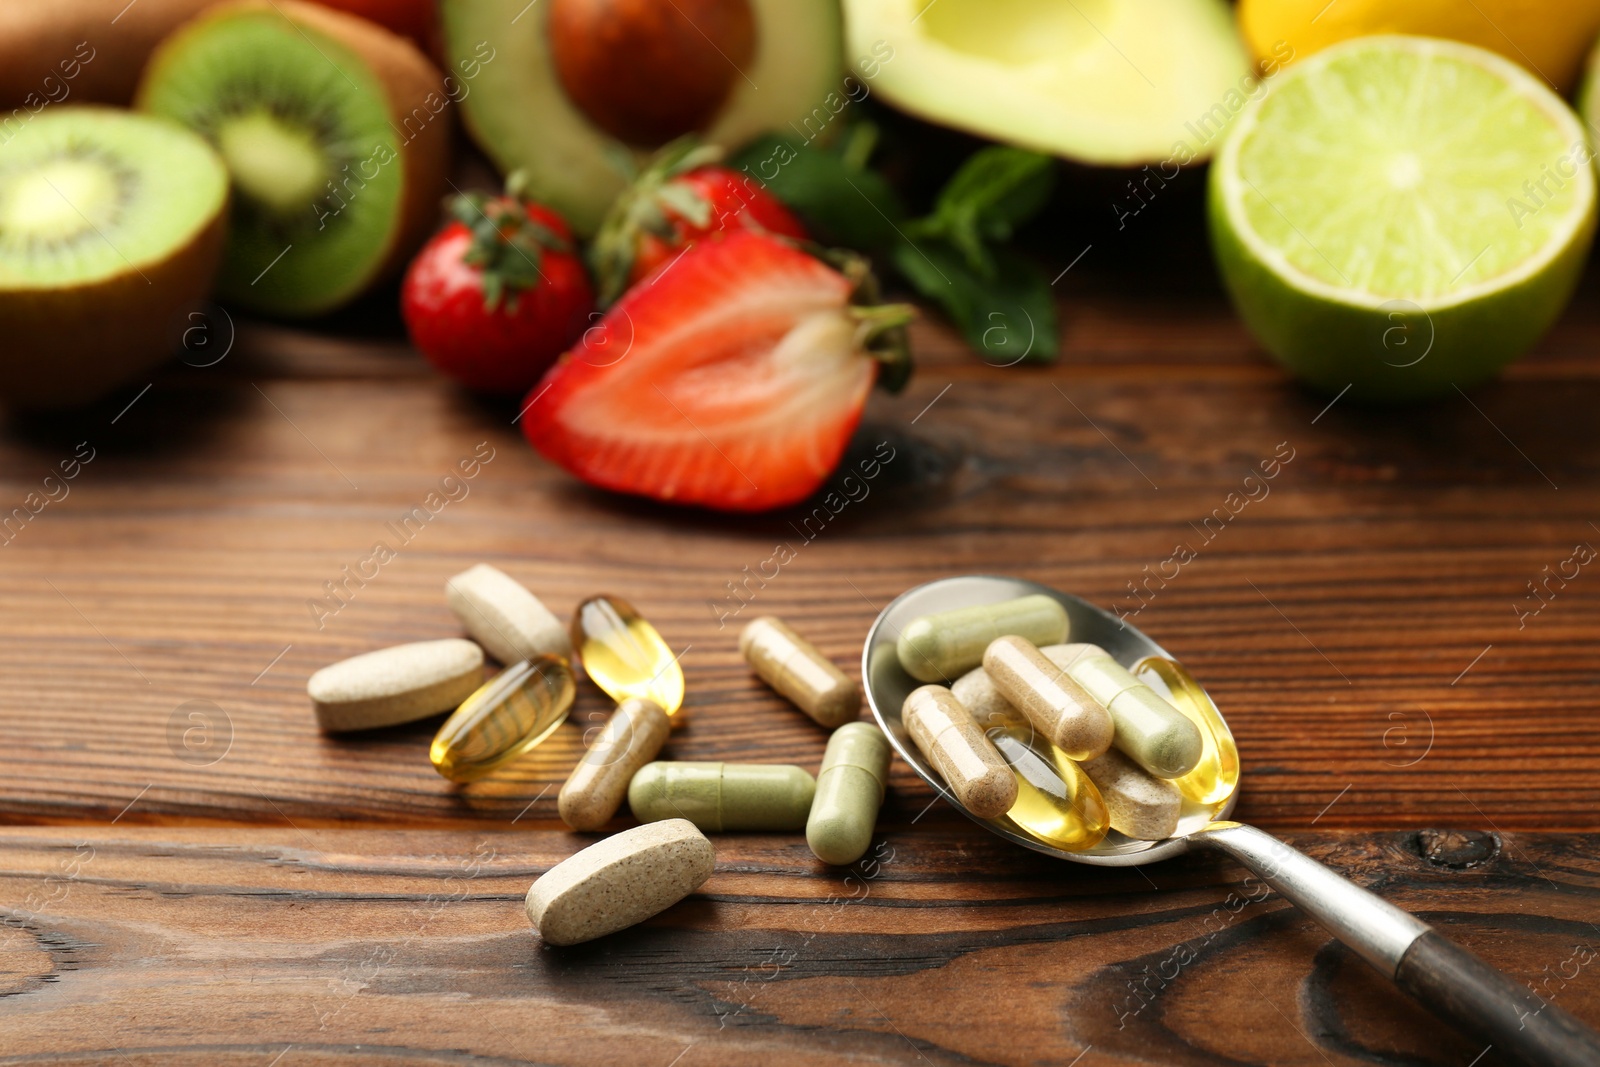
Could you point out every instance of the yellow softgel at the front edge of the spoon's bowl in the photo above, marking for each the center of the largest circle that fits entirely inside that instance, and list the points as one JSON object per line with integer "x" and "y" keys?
{"x": 1055, "y": 799}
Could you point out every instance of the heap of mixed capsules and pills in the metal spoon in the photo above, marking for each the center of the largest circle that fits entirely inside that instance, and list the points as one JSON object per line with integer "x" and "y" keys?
{"x": 1057, "y": 740}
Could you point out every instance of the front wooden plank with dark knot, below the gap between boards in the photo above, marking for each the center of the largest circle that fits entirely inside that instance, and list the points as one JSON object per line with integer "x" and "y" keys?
{"x": 210, "y": 946}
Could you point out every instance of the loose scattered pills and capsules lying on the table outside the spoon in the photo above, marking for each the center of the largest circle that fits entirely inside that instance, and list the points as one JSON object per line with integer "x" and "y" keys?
{"x": 639, "y": 873}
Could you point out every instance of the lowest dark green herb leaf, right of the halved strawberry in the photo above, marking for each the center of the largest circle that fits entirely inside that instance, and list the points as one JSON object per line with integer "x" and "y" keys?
{"x": 1009, "y": 318}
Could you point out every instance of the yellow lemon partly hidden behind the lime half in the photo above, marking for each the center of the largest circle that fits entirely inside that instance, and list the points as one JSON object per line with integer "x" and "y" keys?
{"x": 1550, "y": 38}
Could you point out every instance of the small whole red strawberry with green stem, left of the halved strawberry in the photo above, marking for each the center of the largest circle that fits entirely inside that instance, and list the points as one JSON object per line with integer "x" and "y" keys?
{"x": 498, "y": 294}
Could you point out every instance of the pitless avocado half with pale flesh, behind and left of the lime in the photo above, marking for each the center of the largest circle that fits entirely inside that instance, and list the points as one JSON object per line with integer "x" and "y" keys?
{"x": 1110, "y": 82}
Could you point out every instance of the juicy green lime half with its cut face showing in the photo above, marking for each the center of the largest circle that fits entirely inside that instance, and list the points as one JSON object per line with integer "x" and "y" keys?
{"x": 1401, "y": 215}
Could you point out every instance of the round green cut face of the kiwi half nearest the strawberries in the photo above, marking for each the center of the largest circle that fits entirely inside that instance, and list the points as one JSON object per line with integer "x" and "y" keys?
{"x": 303, "y": 124}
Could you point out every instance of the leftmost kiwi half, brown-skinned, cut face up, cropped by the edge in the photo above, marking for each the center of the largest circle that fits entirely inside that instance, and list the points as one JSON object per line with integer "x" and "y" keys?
{"x": 111, "y": 228}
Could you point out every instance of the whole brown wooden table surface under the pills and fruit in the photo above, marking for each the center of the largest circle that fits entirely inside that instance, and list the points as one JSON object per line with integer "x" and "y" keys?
{"x": 191, "y": 874}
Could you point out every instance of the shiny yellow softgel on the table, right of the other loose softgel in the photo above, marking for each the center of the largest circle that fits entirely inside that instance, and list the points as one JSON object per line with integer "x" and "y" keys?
{"x": 625, "y": 655}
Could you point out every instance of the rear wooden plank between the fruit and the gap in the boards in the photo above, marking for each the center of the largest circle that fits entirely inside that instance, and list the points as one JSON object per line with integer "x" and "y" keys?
{"x": 1366, "y": 623}
